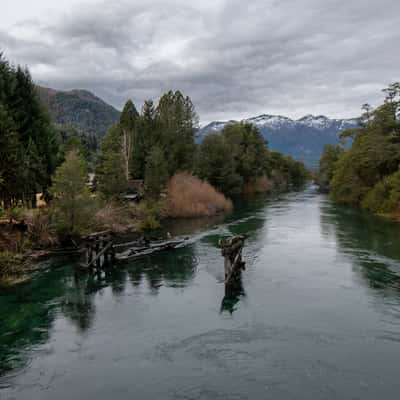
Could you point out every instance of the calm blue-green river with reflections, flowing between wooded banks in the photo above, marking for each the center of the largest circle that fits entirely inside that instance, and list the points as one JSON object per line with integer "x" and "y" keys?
{"x": 318, "y": 317}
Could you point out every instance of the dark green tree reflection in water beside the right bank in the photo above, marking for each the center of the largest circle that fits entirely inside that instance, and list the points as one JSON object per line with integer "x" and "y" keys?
{"x": 372, "y": 243}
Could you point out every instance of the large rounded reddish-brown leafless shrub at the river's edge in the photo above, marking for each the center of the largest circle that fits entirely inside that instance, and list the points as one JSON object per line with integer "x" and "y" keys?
{"x": 190, "y": 197}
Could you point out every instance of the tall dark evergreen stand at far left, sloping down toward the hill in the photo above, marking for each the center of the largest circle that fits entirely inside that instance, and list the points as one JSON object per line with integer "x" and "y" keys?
{"x": 31, "y": 147}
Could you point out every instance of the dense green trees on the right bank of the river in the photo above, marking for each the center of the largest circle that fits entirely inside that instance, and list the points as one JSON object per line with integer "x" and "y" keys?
{"x": 367, "y": 174}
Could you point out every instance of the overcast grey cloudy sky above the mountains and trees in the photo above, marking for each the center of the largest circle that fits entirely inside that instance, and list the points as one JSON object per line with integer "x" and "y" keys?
{"x": 234, "y": 58}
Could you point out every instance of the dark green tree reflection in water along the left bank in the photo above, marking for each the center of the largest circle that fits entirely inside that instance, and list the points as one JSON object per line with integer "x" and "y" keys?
{"x": 28, "y": 311}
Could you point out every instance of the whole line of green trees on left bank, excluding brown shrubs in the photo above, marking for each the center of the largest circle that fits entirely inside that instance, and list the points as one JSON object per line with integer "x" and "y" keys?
{"x": 151, "y": 145}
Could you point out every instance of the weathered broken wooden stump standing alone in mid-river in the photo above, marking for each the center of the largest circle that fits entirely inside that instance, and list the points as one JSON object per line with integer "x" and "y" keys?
{"x": 231, "y": 250}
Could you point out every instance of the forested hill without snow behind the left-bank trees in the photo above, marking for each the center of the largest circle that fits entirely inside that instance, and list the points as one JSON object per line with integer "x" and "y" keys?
{"x": 80, "y": 109}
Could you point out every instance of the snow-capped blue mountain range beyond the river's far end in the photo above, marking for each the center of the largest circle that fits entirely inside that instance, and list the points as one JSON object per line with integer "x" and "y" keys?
{"x": 302, "y": 139}
